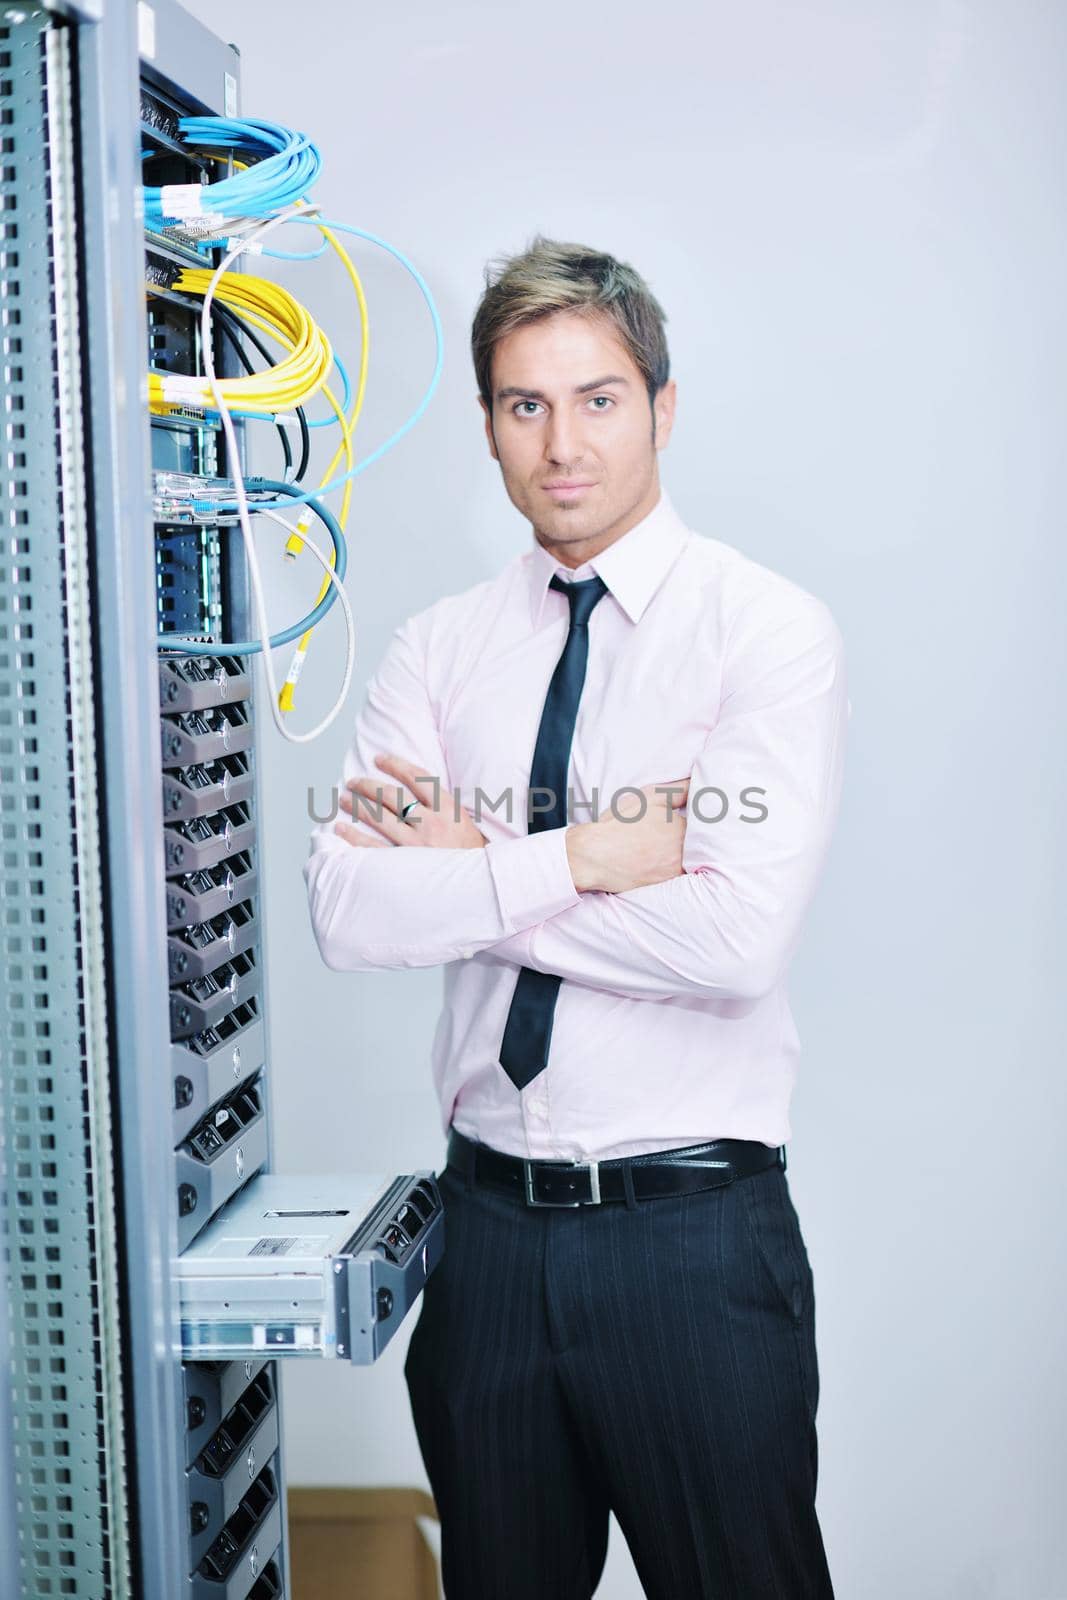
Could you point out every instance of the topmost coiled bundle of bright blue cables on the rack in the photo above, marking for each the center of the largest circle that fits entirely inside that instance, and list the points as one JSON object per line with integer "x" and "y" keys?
{"x": 278, "y": 169}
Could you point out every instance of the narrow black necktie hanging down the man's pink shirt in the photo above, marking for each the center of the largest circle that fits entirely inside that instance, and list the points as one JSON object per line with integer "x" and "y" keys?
{"x": 529, "y": 1028}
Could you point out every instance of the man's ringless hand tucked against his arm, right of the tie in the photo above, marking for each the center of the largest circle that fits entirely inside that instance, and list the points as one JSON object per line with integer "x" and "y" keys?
{"x": 633, "y": 849}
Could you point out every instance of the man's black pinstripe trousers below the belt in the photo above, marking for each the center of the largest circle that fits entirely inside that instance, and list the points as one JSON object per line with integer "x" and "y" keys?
{"x": 653, "y": 1359}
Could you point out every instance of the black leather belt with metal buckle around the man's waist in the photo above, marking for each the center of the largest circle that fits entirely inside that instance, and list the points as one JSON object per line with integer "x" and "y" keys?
{"x": 660, "y": 1174}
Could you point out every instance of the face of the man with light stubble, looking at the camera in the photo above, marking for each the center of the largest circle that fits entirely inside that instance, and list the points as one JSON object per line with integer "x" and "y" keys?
{"x": 570, "y": 407}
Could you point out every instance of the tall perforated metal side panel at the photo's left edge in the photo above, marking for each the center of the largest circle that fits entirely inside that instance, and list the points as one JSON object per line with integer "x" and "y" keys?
{"x": 57, "y": 1183}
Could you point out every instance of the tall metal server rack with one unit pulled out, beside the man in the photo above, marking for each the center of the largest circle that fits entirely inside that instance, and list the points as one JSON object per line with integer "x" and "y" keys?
{"x": 135, "y": 1065}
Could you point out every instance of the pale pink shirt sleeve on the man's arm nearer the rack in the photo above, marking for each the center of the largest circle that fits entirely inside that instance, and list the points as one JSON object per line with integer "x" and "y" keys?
{"x": 409, "y": 906}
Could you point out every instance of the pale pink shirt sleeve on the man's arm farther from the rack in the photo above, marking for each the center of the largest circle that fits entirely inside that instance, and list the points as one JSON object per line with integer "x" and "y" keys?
{"x": 729, "y": 926}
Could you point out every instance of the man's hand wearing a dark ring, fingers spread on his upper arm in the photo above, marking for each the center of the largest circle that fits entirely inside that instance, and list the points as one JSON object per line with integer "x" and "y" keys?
{"x": 431, "y": 825}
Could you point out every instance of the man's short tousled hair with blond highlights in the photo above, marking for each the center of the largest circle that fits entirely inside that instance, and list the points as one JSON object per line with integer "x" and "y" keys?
{"x": 553, "y": 276}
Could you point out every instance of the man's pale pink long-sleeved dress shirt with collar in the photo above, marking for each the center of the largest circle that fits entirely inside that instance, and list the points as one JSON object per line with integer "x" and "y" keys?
{"x": 673, "y": 1025}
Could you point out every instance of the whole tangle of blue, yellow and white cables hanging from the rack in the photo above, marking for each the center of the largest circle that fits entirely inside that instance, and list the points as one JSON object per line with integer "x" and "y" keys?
{"x": 260, "y": 194}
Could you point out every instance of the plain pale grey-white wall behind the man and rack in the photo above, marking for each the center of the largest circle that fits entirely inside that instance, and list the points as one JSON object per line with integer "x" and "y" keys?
{"x": 855, "y": 220}
